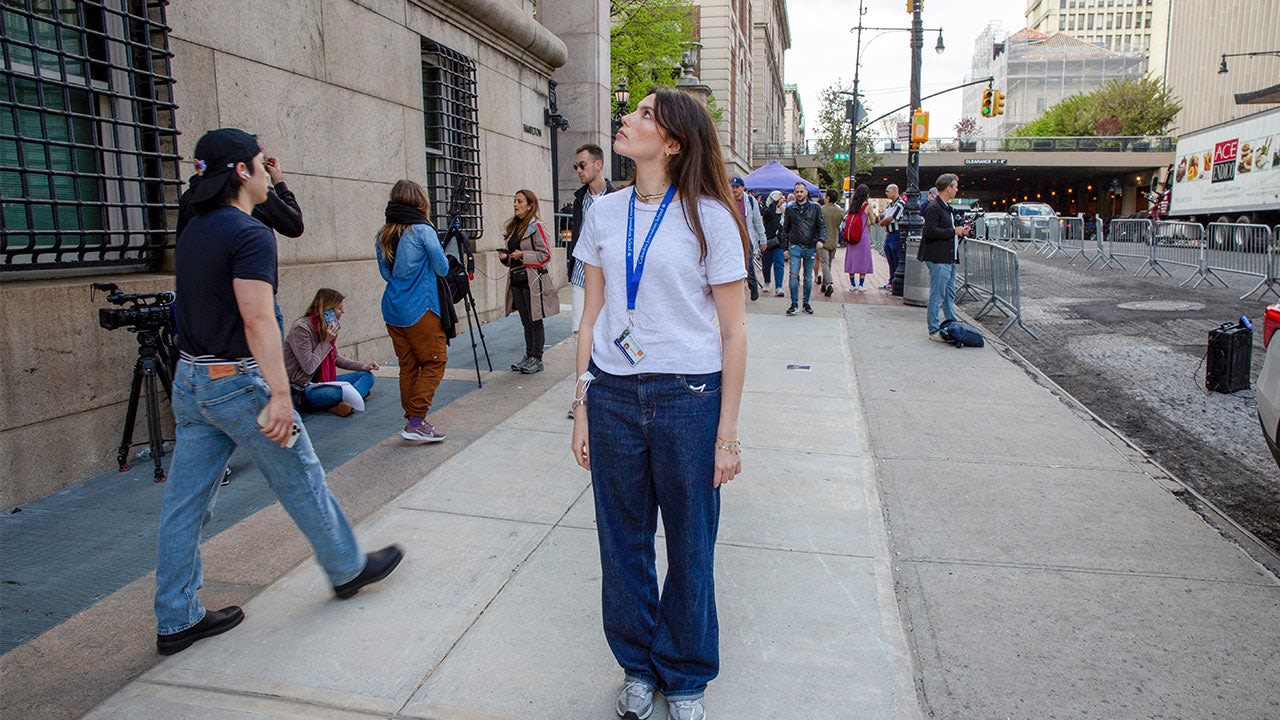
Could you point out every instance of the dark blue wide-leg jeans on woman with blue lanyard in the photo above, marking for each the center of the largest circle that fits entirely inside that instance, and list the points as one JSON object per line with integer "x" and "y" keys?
{"x": 652, "y": 441}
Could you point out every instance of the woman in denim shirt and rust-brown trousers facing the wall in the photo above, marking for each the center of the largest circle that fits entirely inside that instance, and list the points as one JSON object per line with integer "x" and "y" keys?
{"x": 410, "y": 259}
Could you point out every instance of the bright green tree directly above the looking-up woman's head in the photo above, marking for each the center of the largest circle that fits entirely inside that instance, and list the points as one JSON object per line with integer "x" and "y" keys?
{"x": 647, "y": 39}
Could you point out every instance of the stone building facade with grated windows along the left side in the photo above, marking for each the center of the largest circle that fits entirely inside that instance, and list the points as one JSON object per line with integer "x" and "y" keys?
{"x": 351, "y": 95}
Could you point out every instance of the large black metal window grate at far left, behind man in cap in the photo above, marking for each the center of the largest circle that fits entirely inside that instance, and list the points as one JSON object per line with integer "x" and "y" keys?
{"x": 89, "y": 163}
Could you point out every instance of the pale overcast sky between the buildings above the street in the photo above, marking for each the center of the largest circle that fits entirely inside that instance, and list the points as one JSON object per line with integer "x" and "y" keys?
{"x": 822, "y": 52}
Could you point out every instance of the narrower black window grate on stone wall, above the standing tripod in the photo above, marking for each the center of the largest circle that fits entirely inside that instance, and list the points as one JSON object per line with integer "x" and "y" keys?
{"x": 452, "y": 135}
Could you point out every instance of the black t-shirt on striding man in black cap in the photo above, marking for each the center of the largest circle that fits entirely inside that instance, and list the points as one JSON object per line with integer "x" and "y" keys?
{"x": 213, "y": 250}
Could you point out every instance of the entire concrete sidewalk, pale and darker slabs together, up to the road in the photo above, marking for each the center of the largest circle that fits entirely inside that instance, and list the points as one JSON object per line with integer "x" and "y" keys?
{"x": 918, "y": 531}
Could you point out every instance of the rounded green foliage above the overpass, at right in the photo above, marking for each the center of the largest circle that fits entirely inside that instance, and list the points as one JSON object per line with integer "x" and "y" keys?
{"x": 1127, "y": 108}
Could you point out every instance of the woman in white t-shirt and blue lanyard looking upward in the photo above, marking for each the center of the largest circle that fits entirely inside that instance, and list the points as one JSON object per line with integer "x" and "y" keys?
{"x": 661, "y": 363}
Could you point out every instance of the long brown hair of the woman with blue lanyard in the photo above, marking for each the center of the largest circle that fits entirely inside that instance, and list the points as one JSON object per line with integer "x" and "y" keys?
{"x": 698, "y": 170}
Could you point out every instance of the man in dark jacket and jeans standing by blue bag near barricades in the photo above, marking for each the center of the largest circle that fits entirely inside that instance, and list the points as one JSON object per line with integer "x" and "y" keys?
{"x": 940, "y": 241}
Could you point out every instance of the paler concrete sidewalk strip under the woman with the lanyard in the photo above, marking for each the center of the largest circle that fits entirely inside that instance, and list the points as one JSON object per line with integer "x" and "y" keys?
{"x": 496, "y": 610}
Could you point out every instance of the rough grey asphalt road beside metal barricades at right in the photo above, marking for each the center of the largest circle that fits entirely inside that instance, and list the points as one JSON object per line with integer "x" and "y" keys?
{"x": 1133, "y": 352}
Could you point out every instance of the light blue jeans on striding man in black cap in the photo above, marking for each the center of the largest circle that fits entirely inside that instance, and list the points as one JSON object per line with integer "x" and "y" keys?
{"x": 213, "y": 418}
